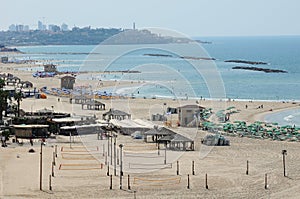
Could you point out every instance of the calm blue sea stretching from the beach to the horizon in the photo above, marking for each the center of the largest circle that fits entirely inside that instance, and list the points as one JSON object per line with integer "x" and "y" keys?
{"x": 187, "y": 70}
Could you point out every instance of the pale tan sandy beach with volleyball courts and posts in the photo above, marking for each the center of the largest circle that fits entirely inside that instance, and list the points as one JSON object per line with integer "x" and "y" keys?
{"x": 85, "y": 174}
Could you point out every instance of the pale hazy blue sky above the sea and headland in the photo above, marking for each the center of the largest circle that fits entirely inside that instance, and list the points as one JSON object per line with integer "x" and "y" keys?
{"x": 190, "y": 17}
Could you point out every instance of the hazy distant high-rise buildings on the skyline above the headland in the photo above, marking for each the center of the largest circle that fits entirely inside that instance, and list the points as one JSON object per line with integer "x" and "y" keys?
{"x": 40, "y": 26}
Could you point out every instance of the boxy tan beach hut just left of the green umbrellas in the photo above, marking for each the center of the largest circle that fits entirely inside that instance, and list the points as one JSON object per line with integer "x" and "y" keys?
{"x": 188, "y": 115}
